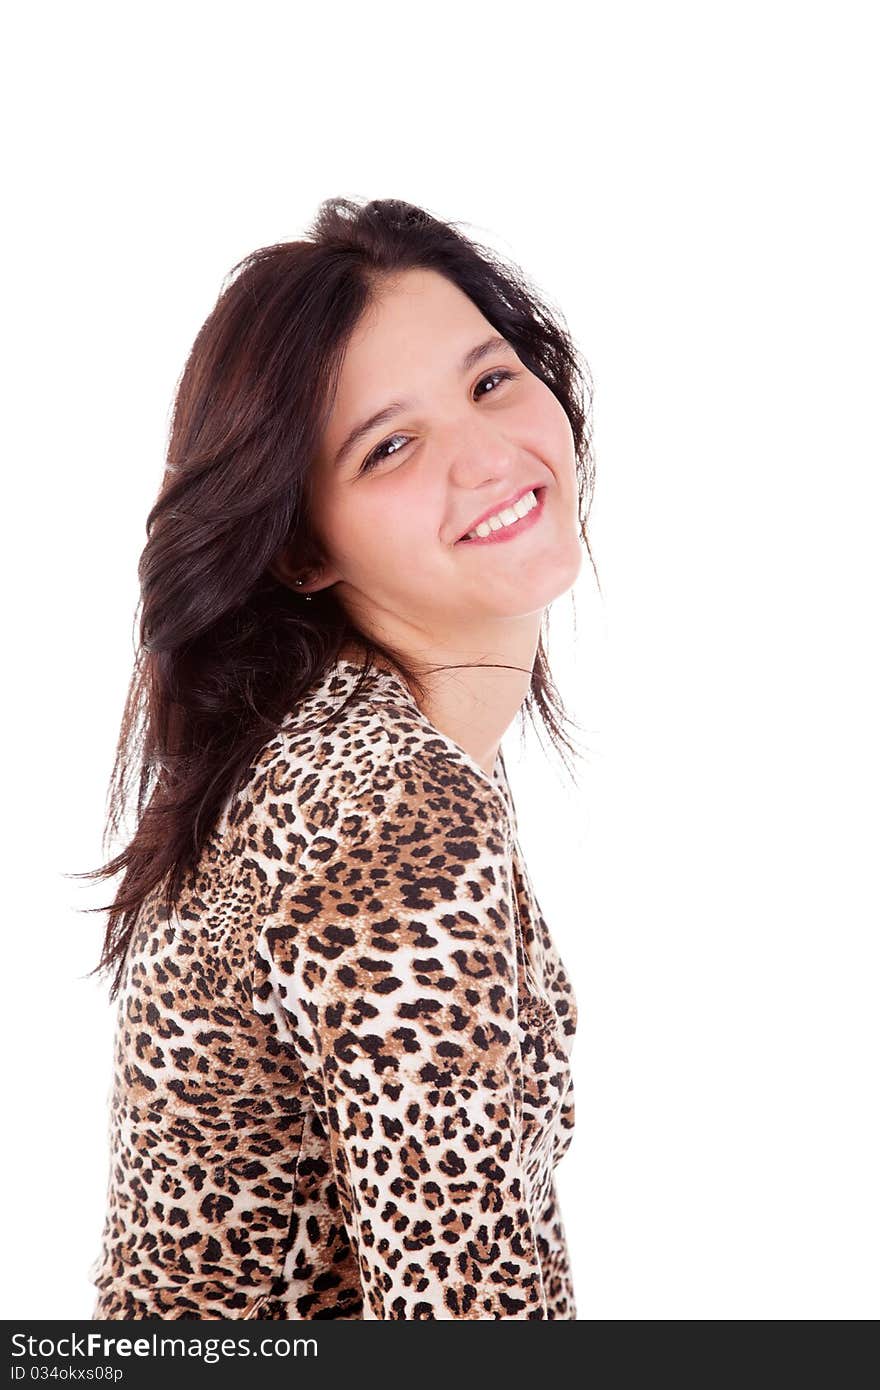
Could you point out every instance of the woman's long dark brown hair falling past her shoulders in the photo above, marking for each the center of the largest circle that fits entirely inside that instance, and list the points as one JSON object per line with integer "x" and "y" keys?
{"x": 227, "y": 650}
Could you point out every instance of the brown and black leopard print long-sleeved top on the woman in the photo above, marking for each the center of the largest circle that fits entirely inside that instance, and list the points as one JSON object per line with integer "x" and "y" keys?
{"x": 343, "y": 1067}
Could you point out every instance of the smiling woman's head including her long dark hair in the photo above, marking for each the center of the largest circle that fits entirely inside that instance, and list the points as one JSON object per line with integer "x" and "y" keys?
{"x": 379, "y": 304}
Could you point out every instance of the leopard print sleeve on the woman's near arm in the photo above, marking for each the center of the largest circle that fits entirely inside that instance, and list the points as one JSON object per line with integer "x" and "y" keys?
{"x": 393, "y": 968}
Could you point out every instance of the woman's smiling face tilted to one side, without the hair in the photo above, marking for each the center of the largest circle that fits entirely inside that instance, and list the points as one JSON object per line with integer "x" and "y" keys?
{"x": 459, "y": 440}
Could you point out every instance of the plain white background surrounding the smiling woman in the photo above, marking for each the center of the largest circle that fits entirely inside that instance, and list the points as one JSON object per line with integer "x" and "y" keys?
{"x": 696, "y": 187}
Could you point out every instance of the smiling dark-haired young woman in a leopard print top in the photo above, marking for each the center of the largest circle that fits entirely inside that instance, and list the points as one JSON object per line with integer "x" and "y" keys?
{"x": 344, "y": 1031}
